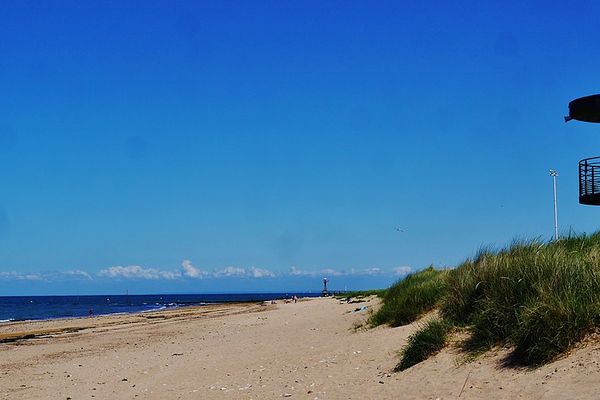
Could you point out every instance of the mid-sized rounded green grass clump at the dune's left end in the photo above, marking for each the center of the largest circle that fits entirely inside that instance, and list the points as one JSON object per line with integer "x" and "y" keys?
{"x": 411, "y": 297}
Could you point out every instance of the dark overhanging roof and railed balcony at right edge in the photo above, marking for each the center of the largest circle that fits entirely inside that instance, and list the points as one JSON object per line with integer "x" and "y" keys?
{"x": 587, "y": 109}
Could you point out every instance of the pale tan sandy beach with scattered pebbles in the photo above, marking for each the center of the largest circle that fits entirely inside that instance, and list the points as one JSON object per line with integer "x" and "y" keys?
{"x": 307, "y": 350}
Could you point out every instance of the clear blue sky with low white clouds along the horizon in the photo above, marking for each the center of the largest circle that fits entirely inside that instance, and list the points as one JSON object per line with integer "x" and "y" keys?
{"x": 273, "y": 143}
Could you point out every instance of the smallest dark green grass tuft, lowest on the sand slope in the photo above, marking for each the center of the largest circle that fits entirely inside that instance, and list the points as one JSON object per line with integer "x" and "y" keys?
{"x": 427, "y": 341}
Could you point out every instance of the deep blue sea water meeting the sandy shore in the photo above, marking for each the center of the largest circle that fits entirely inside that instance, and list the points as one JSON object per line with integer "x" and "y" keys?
{"x": 20, "y": 308}
